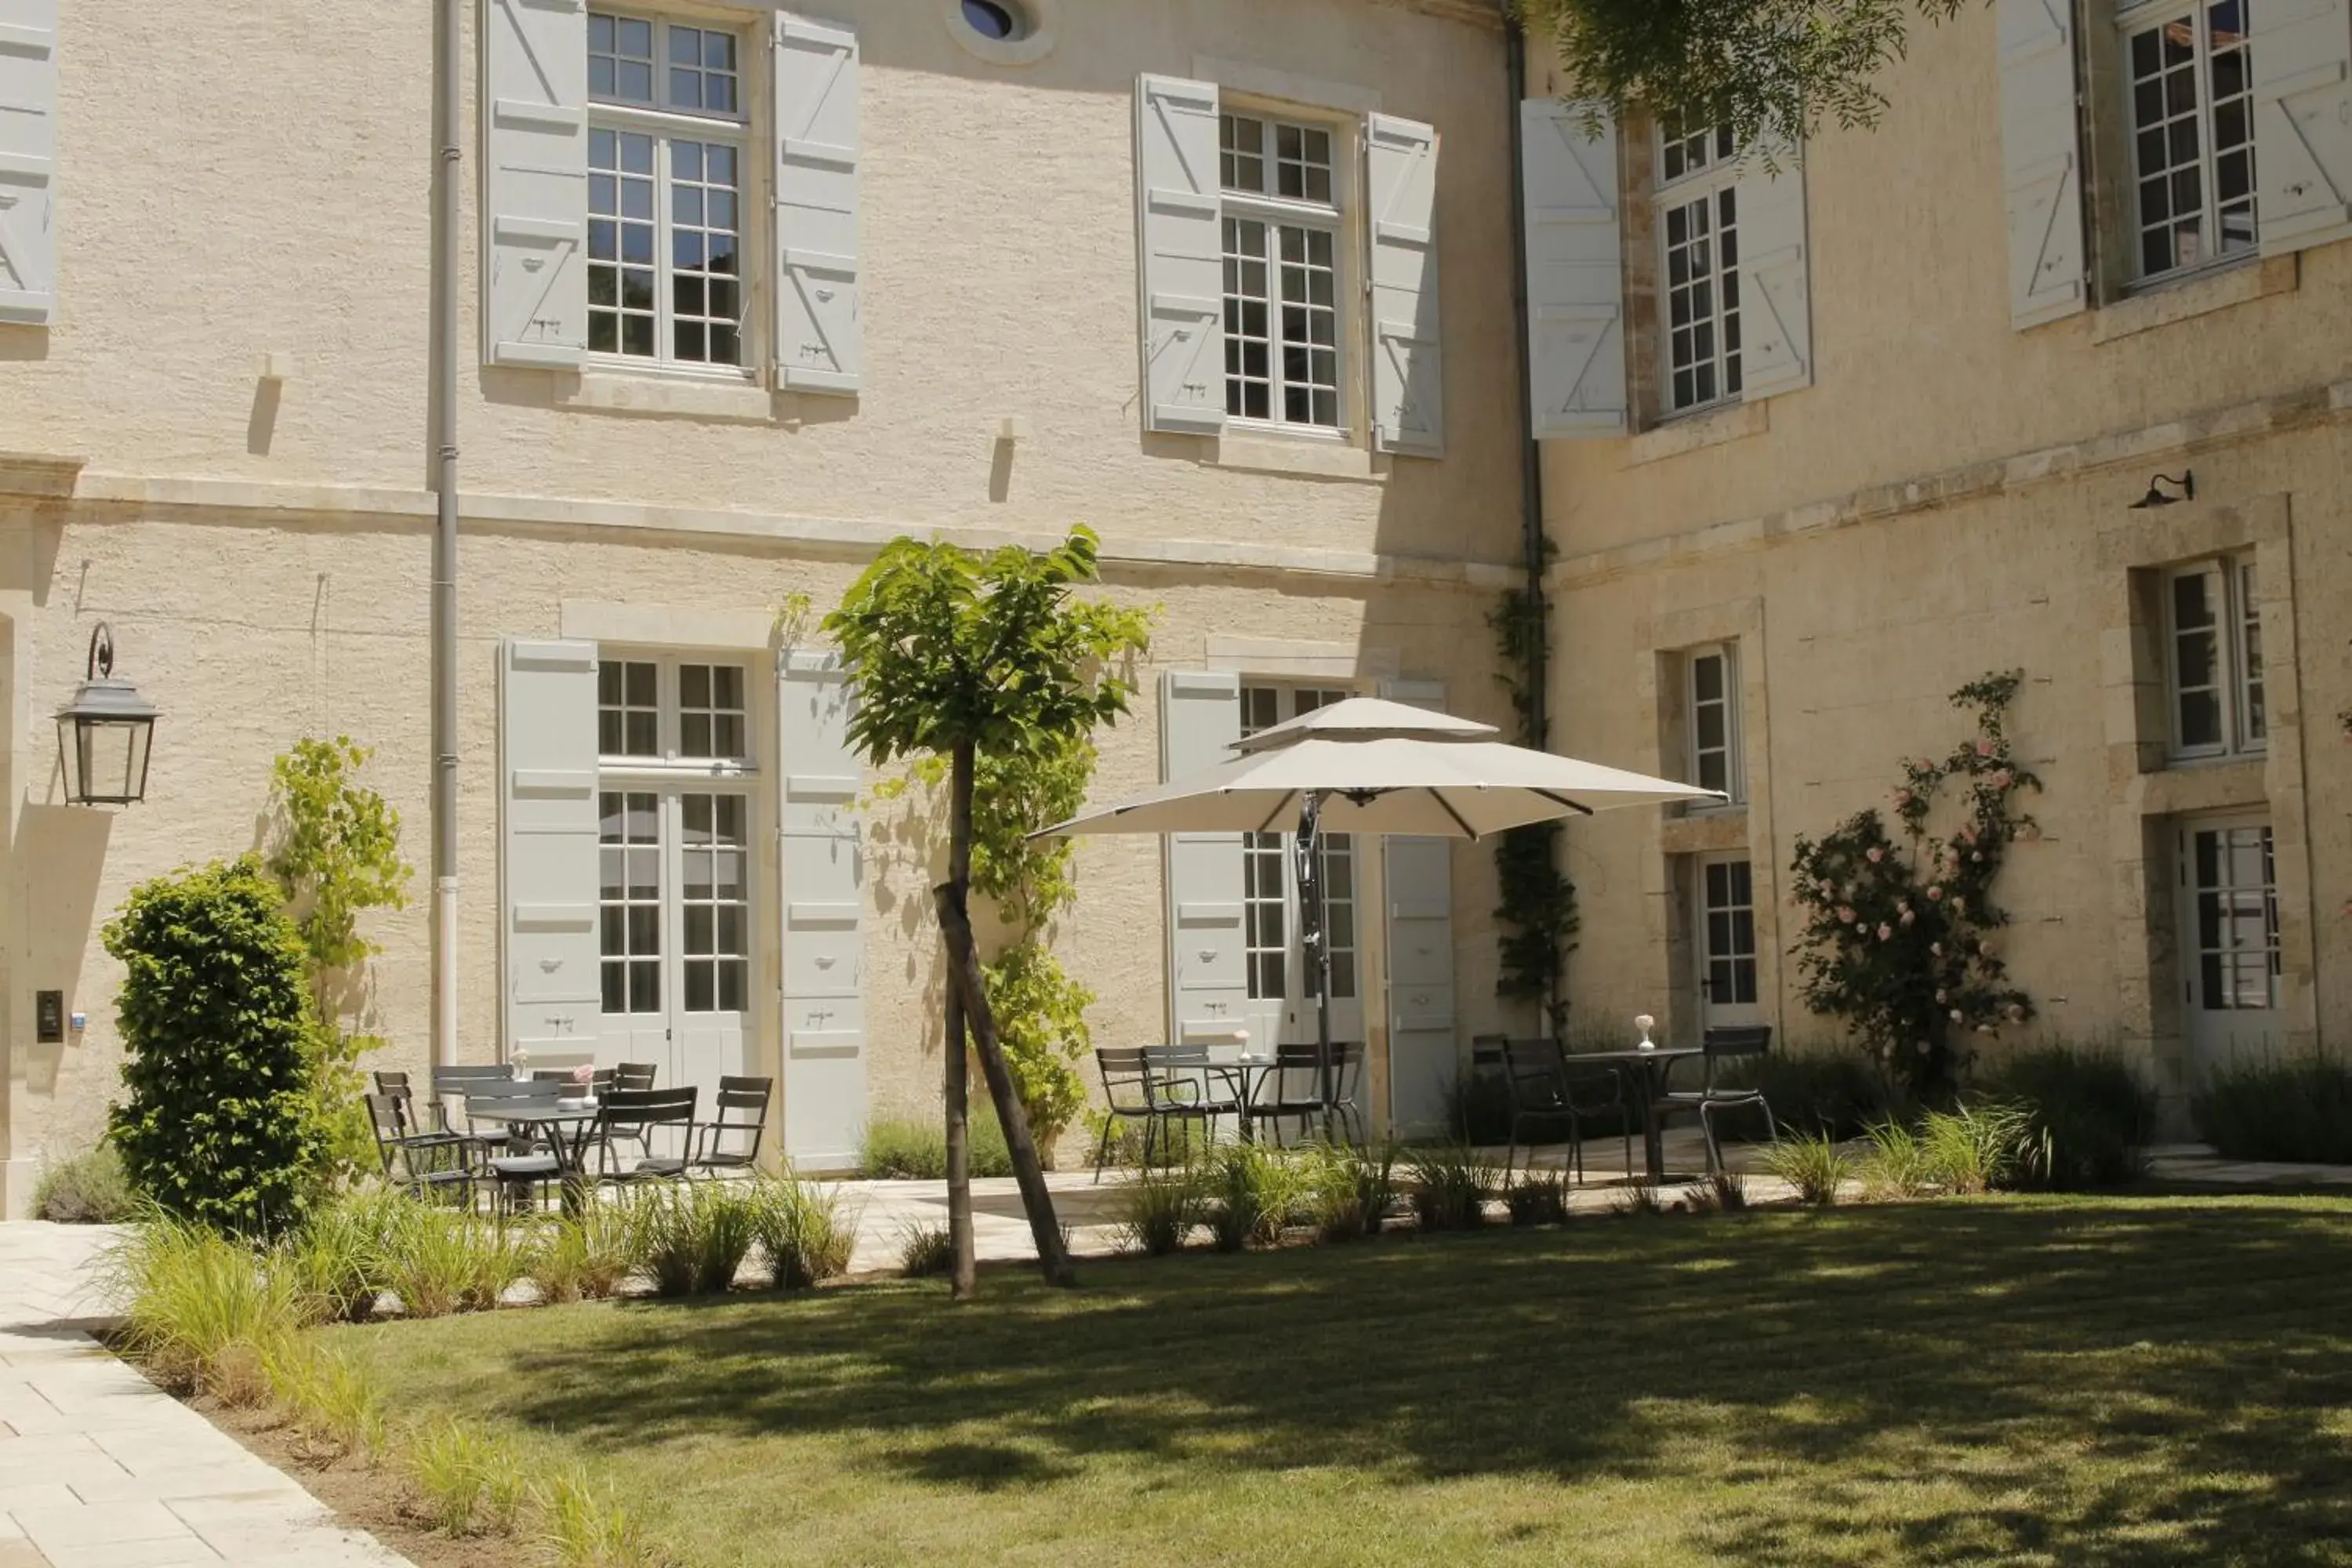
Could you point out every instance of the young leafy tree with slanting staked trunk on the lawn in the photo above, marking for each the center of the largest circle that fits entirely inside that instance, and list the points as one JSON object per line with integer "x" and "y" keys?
{"x": 963, "y": 657}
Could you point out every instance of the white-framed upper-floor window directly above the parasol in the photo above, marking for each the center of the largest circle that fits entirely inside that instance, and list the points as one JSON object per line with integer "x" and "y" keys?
{"x": 1283, "y": 246}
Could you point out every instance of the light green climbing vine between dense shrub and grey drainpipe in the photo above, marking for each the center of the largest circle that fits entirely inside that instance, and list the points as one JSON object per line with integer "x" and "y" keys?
{"x": 338, "y": 857}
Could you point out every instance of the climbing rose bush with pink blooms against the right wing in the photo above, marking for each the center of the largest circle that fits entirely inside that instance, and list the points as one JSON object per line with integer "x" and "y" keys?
{"x": 1902, "y": 937}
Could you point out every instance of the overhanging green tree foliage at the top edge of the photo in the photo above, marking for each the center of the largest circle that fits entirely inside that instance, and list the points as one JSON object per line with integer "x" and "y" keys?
{"x": 1770, "y": 69}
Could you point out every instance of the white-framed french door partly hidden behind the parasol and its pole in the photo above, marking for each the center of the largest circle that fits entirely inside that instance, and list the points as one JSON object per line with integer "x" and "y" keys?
{"x": 1281, "y": 979}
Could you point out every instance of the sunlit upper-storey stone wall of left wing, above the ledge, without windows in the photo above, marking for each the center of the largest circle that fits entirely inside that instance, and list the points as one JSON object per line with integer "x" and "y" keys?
{"x": 996, "y": 264}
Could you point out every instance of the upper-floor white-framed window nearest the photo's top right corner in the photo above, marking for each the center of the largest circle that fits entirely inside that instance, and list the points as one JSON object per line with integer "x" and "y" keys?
{"x": 2191, "y": 133}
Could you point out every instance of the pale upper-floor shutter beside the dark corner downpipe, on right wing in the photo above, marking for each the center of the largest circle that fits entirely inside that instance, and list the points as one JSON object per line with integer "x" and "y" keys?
{"x": 1575, "y": 272}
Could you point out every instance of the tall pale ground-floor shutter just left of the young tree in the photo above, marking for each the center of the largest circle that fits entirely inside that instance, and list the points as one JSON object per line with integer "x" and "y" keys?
{"x": 824, "y": 913}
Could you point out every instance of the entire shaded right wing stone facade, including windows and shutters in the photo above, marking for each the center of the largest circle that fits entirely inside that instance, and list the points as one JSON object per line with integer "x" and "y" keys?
{"x": 1972, "y": 337}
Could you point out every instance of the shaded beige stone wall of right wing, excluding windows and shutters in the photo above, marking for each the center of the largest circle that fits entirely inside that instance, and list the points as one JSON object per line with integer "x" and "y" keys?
{"x": 1953, "y": 497}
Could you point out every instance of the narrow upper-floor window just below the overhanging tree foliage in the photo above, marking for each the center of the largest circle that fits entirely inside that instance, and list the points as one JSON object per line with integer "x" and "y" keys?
{"x": 1699, "y": 229}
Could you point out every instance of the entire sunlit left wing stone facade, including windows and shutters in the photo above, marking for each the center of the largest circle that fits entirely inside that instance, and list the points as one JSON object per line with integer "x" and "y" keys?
{"x": 695, "y": 384}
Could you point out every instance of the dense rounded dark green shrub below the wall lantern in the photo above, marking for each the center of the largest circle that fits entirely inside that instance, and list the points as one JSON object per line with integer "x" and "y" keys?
{"x": 220, "y": 1045}
